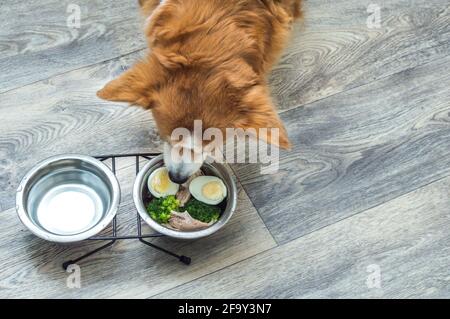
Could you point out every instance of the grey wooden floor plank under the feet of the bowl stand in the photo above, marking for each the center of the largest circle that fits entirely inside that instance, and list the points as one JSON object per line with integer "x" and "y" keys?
{"x": 32, "y": 267}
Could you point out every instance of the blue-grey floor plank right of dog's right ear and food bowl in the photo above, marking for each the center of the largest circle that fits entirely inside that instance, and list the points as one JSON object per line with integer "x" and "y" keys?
{"x": 356, "y": 150}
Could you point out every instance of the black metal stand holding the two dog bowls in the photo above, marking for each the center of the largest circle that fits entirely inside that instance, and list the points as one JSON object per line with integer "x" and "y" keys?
{"x": 139, "y": 236}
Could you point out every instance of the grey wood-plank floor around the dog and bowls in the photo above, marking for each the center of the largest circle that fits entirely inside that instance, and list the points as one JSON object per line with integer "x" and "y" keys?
{"x": 359, "y": 208}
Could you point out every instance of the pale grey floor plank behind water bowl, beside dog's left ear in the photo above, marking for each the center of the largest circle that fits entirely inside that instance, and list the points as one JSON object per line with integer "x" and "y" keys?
{"x": 63, "y": 115}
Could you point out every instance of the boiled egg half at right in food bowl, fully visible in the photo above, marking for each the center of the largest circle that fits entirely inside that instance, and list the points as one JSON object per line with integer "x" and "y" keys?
{"x": 208, "y": 189}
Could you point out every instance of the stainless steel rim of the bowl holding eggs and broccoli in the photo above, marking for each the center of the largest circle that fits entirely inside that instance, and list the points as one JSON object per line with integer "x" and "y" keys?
{"x": 140, "y": 193}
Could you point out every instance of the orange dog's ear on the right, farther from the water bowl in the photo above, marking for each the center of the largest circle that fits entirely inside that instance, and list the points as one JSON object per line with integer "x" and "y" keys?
{"x": 258, "y": 112}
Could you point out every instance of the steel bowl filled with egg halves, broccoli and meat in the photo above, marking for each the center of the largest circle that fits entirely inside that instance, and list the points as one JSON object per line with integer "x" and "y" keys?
{"x": 195, "y": 209}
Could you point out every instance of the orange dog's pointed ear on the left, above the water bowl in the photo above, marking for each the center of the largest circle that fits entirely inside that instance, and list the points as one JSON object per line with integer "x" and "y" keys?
{"x": 133, "y": 86}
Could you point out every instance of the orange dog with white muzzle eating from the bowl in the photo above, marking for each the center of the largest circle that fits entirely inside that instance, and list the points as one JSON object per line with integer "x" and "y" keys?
{"x": 209, "y": 61}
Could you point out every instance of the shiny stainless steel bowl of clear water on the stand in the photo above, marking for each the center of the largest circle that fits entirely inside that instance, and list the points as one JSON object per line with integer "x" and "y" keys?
{"x": 68, "y": 198}
